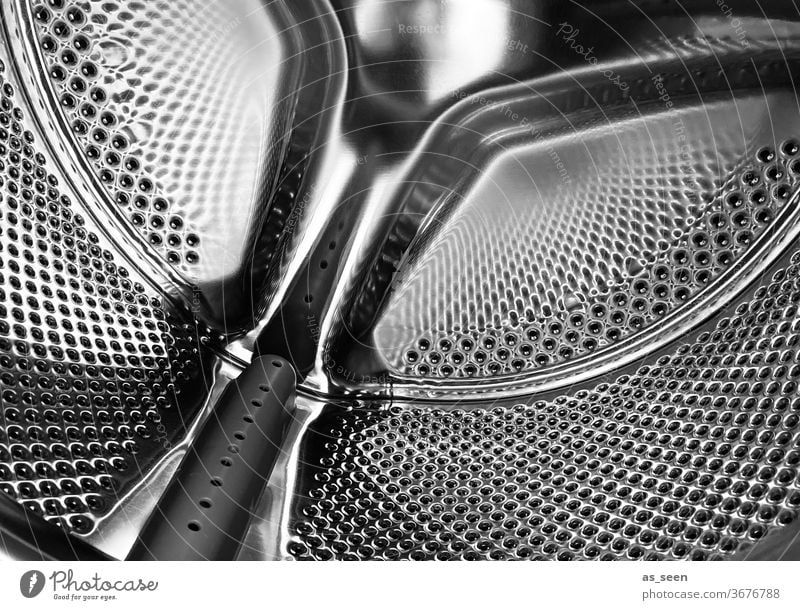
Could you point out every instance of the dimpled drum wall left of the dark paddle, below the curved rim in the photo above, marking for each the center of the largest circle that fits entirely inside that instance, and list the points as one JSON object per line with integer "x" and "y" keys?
{"x": 92, "y": 366}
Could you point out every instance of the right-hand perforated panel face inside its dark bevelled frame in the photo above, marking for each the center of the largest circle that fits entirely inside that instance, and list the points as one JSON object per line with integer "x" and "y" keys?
{"x": 617, "y": 231}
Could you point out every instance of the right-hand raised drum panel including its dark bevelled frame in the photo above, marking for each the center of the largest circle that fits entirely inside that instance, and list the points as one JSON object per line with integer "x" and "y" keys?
{"x": 542, "y": 223}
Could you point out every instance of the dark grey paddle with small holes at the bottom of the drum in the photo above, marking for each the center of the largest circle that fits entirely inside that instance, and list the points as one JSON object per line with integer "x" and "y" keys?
{"x": 207, "y": 507}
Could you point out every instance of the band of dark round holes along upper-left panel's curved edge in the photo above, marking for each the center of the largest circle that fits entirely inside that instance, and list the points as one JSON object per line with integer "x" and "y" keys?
{"x": 92, "y": 93}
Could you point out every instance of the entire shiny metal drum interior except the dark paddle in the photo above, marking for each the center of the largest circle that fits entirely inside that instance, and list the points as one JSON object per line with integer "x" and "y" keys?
{"x": 534, "y": 263}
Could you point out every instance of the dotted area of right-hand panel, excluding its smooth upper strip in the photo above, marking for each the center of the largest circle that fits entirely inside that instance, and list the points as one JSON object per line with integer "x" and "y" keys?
{"x": 617, "y": 264}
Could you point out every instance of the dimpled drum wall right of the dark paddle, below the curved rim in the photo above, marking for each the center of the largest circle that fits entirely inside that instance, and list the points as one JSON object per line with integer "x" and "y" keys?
{"x": 696, "y": 456}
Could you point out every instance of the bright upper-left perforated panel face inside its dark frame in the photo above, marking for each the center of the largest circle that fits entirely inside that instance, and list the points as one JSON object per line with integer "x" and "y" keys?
{"x": 166, "y": 103}
